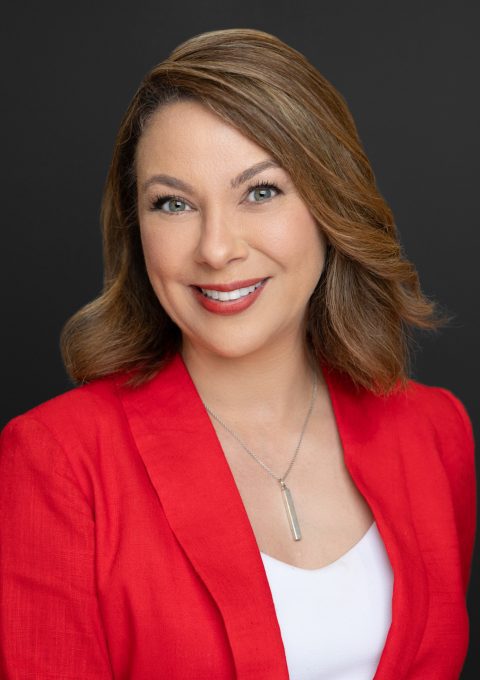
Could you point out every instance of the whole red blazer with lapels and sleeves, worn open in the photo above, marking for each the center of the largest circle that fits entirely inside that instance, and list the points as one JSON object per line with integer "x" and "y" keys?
{"x": 127, "y": 552}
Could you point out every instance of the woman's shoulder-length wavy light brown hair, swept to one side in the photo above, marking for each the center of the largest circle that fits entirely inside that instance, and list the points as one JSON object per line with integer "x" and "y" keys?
{"x": 368, "y": 298}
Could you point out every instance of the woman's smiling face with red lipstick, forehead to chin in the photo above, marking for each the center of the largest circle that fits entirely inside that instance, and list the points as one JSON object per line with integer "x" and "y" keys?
{"x": 231, "y": 250}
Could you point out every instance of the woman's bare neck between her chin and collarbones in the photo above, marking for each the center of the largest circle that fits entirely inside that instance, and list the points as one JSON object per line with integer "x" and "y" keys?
{"x": 265, "y": 386}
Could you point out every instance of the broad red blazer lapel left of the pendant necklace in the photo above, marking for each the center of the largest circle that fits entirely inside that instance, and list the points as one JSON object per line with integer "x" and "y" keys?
{"x": 188, "y": 469}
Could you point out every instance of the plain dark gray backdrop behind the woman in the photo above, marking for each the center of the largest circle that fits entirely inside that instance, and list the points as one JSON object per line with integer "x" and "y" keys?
{"x": 408, "y": 71}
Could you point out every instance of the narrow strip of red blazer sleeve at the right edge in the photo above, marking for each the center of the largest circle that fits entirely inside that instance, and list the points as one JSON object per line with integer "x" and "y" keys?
{"x": 459, "y": 460}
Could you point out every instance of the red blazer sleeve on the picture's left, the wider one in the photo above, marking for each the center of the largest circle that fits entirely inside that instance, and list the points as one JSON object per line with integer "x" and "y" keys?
{"x": 50, "y": 624}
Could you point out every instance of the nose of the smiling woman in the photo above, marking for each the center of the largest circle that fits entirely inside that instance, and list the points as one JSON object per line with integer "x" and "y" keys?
{"x": 220, "y": 241}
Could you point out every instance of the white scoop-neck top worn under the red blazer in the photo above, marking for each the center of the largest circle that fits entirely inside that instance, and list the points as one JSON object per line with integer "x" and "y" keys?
{"x": 334, "y": 620}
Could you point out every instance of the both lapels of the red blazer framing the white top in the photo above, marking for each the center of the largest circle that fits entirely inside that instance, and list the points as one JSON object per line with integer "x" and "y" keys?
{"x": 189, "y": 471}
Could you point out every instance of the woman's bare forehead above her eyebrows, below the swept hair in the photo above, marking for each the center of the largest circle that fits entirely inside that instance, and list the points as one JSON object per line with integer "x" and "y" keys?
{"x": 186, "y": 137}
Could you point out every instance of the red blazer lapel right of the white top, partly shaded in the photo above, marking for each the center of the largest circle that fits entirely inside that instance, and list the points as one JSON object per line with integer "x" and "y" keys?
{"x": 372, "y": 431}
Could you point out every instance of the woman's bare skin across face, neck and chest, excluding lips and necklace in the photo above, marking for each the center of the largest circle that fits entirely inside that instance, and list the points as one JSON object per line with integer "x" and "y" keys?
{"x": 217, "y": 231}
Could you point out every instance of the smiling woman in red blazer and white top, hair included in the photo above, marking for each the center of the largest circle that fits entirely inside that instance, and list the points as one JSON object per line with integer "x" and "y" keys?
{"x": 246, "y": 484}
